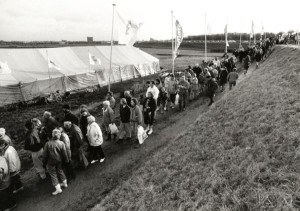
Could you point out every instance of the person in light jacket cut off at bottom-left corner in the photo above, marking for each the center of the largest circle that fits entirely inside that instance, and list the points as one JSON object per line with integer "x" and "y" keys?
{"x": 7, "y": 199}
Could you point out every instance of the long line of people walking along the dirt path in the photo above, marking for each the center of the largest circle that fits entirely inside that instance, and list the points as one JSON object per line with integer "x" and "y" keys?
{"x": 58, "y": 148}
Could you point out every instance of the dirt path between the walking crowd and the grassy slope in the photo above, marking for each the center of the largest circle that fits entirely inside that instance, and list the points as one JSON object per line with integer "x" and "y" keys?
{"x": 92, "y": 184}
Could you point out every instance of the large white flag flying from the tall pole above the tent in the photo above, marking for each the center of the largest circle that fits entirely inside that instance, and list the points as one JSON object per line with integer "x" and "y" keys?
{"x": 127, "y": 31}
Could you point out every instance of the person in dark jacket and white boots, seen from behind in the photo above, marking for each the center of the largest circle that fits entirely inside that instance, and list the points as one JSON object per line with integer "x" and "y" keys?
{"x": 55, "y": 154}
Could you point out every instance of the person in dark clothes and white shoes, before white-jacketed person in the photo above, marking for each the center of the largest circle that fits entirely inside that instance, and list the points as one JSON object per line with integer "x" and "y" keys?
{"x": 149, "y": 107}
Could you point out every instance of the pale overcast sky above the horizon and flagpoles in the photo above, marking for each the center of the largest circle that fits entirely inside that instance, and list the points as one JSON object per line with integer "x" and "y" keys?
{"x": 30, "y": 20}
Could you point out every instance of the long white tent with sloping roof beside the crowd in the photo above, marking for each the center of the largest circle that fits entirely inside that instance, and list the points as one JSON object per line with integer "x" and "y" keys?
{"x": 28, "y": 76}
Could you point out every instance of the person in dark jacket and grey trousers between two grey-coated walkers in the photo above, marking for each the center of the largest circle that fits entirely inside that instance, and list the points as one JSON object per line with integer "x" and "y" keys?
{"x": 124, "y": 129}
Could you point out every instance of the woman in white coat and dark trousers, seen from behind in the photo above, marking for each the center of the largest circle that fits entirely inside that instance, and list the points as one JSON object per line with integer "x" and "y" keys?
{"x": 95, "y": 139}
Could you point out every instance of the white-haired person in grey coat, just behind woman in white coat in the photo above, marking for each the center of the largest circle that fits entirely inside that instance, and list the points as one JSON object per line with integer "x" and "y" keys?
{"x": 108, "y": 118}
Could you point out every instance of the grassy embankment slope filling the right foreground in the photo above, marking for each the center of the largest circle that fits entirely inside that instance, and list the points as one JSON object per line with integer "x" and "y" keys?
{"x": 239, "y": 155}
